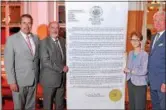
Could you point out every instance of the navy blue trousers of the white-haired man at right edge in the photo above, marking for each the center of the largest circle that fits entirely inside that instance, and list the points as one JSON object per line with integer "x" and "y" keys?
{"x": 158, "y": 100}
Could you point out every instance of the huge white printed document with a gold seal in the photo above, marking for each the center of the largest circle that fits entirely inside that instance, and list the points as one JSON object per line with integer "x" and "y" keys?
{"x": 96, "y": 42}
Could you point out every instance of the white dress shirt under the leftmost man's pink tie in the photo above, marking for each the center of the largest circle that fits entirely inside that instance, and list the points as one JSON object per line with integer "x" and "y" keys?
{"x": 31, "y": 41}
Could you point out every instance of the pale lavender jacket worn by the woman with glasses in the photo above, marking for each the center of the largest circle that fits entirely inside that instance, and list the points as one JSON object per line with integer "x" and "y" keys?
{"x": 139, "y": 66}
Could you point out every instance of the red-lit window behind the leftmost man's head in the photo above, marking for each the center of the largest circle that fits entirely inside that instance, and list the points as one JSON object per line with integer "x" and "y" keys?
{"x": 11, "y": 12}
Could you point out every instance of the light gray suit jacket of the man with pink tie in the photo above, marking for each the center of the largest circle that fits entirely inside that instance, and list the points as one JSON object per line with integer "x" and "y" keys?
{"x": 21, "y": 66}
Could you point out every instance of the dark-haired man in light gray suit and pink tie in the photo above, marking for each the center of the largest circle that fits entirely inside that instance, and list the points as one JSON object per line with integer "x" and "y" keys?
{"x": 22, "y": 65}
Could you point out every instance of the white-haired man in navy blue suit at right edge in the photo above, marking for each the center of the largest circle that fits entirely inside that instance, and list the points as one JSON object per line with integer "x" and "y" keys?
{"x": 157, "y": 63}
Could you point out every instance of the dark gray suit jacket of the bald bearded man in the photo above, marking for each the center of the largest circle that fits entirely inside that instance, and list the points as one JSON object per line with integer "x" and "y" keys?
{"x": 51, "y": 67}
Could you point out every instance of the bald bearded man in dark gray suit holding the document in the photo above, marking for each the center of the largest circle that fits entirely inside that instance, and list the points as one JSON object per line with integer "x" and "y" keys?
{"x": 53, "y": 69}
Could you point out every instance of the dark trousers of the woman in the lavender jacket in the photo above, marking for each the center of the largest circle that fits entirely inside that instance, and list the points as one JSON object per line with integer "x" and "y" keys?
{"x": 137, "y": 96}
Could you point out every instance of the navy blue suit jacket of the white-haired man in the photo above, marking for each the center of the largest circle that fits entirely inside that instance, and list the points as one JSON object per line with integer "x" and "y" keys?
{"x": 157, "y": 63}
